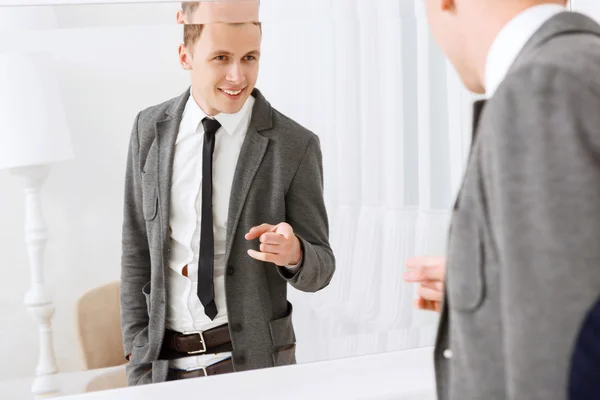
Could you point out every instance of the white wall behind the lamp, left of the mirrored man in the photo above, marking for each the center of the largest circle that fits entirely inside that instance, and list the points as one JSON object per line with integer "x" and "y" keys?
{"x": 107, "y": 75}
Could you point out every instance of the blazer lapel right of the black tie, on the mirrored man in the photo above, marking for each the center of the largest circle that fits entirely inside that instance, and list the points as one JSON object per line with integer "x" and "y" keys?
{"x": 251, "y": 155}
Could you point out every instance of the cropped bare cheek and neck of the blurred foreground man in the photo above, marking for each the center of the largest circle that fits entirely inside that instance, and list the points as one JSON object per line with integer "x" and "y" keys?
{"x": 466, "y": 29}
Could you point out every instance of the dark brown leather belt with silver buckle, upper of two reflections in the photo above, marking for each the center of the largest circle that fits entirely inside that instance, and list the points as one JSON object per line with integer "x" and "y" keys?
{"x": 178, "y": 345}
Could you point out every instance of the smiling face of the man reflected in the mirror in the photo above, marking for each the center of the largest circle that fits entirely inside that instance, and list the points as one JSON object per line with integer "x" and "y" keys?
{"x": 224, "y": 65}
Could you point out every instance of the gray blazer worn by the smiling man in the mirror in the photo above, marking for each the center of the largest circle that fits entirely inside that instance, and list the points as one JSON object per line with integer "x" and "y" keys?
{"x": 279, "y": 177}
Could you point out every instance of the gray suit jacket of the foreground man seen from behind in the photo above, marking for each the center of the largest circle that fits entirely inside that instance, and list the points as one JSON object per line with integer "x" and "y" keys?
{"x": 523, "y": 255}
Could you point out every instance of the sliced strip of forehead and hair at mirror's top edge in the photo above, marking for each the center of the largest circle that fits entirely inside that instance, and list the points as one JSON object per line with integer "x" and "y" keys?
{"x": 231, "y": 11}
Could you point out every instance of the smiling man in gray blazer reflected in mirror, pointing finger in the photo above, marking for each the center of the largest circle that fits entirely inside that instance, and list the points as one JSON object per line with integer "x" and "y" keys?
{"x": 223, "y": 208}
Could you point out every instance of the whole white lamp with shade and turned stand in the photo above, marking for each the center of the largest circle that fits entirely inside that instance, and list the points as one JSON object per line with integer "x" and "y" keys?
{"x": 33, "y": 135}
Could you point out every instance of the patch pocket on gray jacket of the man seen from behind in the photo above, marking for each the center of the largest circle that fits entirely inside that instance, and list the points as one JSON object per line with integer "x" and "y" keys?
{"x": 466, "y": 283}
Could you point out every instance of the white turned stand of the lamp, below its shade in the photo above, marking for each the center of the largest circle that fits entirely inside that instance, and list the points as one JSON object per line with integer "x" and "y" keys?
{"x": 38, "y": 298}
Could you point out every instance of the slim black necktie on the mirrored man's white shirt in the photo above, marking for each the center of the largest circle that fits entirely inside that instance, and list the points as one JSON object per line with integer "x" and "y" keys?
{"x": 206, "y": 290}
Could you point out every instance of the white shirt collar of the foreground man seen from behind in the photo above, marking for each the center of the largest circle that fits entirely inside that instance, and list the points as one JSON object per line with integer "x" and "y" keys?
{"x": 511, "y": 40}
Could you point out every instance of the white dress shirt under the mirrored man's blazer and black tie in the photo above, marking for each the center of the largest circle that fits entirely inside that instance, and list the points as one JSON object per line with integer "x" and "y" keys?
{"x": 185, "y": 312}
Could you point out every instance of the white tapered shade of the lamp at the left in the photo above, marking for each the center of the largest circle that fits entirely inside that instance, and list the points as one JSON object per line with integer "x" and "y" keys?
{"x": 33, "y": 125}
